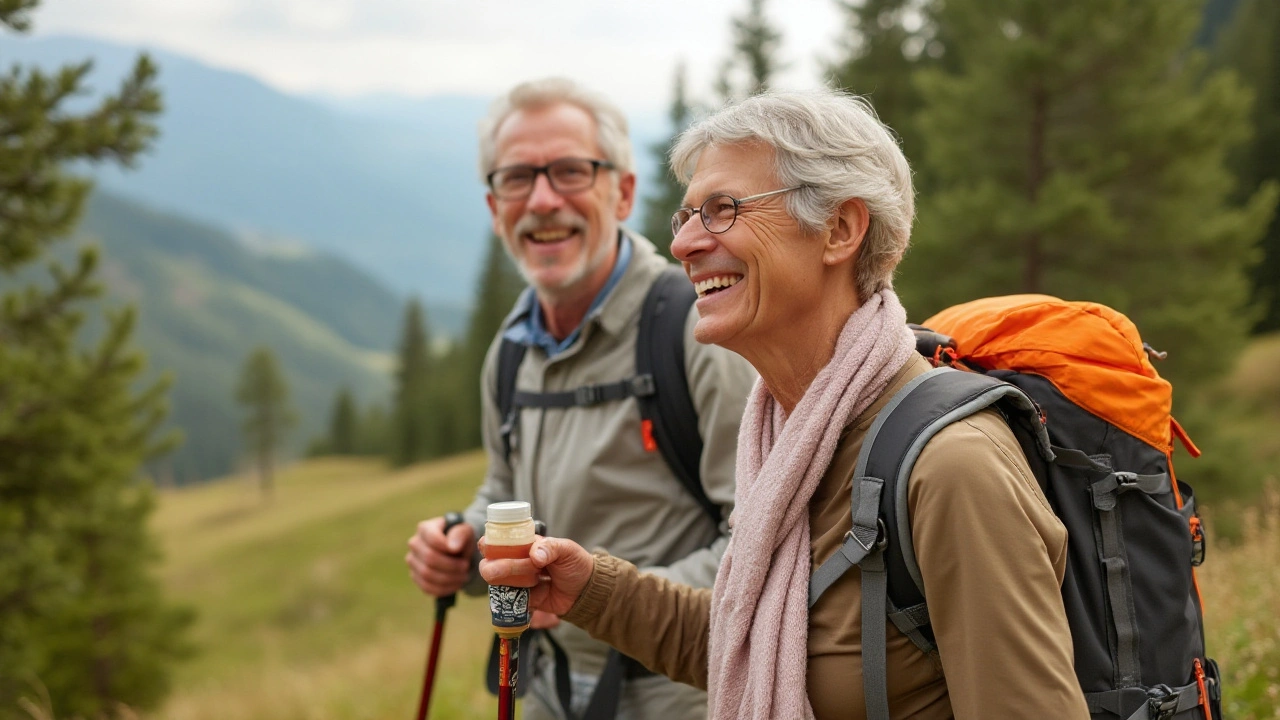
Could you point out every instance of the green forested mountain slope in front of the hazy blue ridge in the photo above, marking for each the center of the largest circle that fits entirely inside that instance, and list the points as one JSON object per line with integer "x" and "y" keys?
{"x": 207, "y": 300}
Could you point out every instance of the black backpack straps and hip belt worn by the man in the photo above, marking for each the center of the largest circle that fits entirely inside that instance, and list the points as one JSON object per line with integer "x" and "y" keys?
{"x": 669, "y": 425}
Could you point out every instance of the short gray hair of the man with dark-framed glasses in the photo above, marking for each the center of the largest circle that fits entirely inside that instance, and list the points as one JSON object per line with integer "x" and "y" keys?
{"x": 610, "y": 122}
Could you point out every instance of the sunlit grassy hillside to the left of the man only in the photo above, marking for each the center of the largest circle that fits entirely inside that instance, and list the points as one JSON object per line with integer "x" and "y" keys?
{"x": 305, "y": 607}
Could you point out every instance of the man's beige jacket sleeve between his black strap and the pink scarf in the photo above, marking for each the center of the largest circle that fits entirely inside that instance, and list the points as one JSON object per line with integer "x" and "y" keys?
{"x": 719, "y": 384}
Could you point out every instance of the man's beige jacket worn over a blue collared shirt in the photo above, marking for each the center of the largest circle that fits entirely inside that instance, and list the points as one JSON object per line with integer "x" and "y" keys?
{"x": 586, "y": 471}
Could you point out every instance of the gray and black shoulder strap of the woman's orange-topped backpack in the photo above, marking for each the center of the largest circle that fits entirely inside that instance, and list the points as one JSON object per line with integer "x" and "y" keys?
{"x": 880, "y": 541}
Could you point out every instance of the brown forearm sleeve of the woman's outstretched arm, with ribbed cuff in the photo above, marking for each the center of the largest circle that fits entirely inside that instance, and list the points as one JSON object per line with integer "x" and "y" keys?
{"x": 662, "y": 625}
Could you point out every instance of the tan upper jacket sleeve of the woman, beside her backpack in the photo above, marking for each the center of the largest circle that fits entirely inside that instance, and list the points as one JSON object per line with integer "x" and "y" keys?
{"x": 993, "y": 555}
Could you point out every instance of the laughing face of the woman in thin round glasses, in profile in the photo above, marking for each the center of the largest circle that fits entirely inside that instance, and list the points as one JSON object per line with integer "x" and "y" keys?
{"x": 762, "y": 276}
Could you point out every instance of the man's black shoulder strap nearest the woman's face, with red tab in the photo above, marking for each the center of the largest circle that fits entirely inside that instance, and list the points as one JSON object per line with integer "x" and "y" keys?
{"x": 669, "y": 418}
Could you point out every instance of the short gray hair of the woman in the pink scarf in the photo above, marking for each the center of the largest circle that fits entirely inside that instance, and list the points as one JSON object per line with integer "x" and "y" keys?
{"x": 834, "y": 145}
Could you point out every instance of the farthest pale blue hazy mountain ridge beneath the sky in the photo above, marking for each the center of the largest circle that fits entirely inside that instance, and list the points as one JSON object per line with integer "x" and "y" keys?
{"x": 390, "y": 184}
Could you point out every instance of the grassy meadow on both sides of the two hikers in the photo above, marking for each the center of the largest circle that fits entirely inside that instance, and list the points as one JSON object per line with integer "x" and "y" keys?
{"x": 307, "y": 612}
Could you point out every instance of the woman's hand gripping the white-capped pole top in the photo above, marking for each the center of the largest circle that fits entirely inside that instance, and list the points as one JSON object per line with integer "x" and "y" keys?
{"x": 557, "y": 572}
